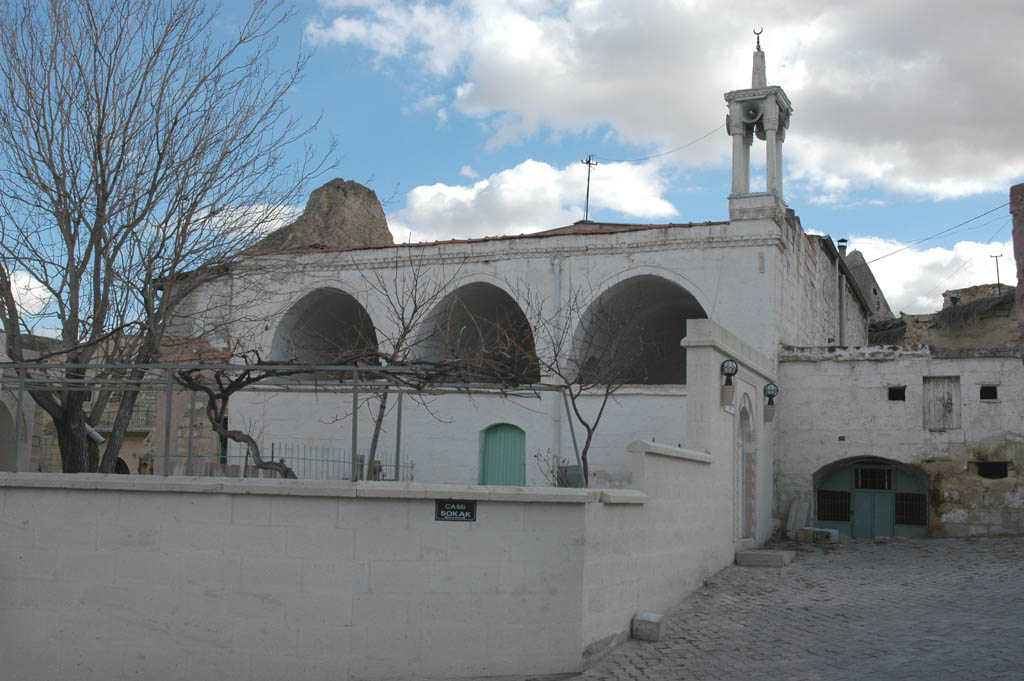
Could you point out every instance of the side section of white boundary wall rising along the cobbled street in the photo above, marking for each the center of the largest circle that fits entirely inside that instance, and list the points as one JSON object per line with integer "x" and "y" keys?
{"x": 647, "y": 550}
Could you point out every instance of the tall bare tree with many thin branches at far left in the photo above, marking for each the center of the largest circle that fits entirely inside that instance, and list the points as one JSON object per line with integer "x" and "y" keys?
{"x": 139, "y": 155}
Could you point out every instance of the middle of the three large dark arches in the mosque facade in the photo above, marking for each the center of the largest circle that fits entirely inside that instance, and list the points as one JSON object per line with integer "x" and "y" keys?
{"x": 484, "y": 332}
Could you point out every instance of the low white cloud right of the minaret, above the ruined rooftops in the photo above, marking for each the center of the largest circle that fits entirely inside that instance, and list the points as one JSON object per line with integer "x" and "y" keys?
{"x": 914, "y": 280}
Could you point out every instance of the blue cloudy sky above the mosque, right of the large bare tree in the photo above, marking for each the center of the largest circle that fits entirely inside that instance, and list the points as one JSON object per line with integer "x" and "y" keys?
{"x": 472, "y": 119}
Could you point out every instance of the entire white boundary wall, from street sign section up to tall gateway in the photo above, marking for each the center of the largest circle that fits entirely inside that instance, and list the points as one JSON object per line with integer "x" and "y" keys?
{"x": 109, "y": 577}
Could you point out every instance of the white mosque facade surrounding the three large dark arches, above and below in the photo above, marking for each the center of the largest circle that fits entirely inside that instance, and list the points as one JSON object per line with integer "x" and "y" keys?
{"x": 765, "y": 282}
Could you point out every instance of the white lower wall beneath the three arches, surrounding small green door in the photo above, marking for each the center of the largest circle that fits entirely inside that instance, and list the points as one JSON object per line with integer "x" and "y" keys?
{"x": 442, "y": 437}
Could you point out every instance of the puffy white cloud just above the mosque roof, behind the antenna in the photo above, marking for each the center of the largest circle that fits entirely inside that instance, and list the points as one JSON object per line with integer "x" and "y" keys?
{"x": 531, "y": 197}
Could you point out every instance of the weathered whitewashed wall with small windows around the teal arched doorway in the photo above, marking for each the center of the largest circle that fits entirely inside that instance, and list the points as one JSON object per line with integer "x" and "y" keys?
{"x": 835, "y": 406}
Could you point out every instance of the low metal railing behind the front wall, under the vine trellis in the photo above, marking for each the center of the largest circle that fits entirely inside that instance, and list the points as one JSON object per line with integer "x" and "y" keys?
{"x": 311, "y": 462}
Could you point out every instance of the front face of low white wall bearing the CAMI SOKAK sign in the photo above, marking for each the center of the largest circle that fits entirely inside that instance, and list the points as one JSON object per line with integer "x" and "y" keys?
{"x": 184, "y": 578}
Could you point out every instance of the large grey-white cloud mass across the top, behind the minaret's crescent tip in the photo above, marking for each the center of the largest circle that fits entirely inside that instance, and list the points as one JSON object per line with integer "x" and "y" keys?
{"x": 914, "y": 98}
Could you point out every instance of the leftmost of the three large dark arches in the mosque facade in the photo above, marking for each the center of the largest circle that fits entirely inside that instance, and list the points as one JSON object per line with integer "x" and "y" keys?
{"x": 325, "y": 327}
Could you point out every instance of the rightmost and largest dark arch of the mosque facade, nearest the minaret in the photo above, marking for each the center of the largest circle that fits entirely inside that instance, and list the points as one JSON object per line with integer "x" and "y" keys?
{"x": 631, "y": 333}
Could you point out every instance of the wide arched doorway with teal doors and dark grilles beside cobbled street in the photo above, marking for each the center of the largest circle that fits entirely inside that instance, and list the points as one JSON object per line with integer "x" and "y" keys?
{"x": 872, "y": 497}
